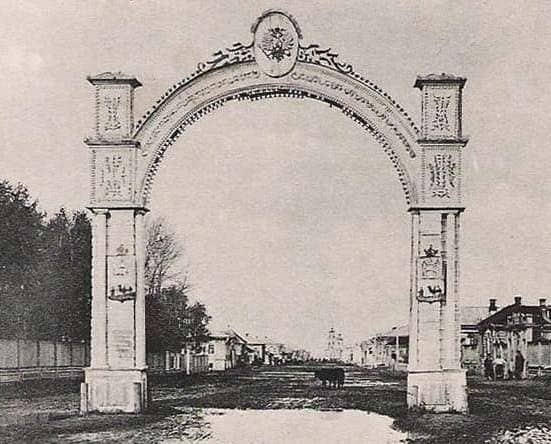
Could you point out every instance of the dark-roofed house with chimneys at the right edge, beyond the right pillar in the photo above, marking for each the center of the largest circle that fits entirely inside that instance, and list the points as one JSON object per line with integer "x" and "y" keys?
{"x": 518, "y": 328}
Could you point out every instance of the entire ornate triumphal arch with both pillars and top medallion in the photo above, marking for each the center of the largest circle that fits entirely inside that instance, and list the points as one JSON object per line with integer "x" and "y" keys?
{"x": 125, "y": 155}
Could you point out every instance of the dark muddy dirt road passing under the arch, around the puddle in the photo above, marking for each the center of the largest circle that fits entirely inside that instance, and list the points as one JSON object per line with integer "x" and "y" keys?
{"x": 501, "y": 412}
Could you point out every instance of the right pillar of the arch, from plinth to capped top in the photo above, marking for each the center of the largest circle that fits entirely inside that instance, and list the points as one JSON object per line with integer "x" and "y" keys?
{"x": 436, "y": 380}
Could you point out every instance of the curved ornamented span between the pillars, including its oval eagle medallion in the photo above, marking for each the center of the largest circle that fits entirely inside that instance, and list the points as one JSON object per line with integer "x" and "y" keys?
{"x": 276, "y": 50}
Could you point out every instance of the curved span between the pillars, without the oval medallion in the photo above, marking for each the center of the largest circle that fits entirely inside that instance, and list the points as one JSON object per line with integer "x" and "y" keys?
{"x": 337, "y": 85}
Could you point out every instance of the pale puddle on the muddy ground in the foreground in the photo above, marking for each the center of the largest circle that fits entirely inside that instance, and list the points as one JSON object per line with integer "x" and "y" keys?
{"x": 223, "y": 426}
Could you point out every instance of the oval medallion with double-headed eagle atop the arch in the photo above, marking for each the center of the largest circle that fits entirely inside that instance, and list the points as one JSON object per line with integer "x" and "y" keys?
{"x": 276, "y": 44}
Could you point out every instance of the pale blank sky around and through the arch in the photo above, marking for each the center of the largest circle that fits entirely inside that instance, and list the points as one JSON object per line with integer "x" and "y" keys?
{"x": 292, "y": 217}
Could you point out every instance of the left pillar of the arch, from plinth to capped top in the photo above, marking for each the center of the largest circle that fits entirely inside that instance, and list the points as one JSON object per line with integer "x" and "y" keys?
{"x": 116, "y": 380}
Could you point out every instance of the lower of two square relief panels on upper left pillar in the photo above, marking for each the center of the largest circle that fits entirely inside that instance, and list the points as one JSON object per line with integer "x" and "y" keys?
{"x": 113, "y": 176}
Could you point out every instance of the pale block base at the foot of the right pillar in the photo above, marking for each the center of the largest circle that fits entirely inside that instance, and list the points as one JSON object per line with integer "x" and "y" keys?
{"x": 438, "y": 390}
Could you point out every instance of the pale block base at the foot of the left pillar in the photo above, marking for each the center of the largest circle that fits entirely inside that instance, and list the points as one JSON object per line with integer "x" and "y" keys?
{"x": 114, "y": 391}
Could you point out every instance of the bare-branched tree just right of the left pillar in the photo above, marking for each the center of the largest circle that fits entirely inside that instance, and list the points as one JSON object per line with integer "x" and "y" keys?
{"x": 162, "y": 254}
